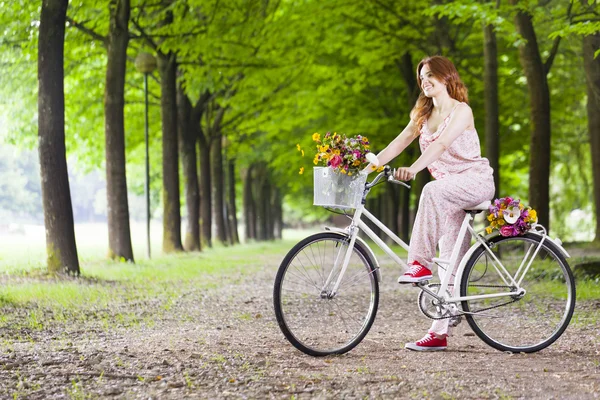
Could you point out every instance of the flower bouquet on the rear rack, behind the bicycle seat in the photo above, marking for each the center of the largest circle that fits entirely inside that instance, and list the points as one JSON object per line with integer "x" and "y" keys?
{"x": 510, "y": 217}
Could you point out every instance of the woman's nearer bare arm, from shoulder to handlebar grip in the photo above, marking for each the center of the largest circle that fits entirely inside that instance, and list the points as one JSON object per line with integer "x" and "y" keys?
{"x": 458, "y": 123}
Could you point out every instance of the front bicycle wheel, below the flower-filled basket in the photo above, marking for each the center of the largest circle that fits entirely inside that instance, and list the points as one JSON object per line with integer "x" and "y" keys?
{"x": 315, "y": 320}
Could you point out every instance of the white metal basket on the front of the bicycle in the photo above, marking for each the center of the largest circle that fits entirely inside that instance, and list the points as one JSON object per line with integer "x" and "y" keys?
{"x": 337, "y": 190}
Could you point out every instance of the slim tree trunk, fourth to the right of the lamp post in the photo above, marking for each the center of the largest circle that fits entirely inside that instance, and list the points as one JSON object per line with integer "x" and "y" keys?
{"x": 218, "y": 180}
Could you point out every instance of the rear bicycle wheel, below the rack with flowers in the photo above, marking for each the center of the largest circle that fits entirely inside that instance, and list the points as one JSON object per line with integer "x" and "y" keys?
{"x": 540, "y": 309}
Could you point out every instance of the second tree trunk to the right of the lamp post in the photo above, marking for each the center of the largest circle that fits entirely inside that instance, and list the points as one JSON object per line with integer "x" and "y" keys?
{"x": 187, "y": 149}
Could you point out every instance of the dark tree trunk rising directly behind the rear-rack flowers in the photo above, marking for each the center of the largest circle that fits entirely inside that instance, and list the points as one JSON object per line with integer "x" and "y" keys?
{"x": 537, "y": 83}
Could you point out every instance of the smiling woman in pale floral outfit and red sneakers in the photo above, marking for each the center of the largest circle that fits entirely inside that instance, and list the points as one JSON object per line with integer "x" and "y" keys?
{"x": 443, "y": 122}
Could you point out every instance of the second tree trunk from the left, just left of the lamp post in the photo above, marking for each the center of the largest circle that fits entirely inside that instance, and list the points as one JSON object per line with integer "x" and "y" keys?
{"x": 119, "y": 233}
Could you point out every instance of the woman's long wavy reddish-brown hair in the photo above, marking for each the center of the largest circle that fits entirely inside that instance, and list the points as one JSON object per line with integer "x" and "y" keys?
{"x": 444, "y": 71}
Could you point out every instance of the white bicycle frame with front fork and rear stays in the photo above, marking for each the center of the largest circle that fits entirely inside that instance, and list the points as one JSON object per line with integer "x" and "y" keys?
{"x": 451, "y": 265}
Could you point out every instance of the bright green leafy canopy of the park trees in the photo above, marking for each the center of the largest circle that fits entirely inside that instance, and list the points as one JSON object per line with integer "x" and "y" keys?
{"x": 284, "y": 70}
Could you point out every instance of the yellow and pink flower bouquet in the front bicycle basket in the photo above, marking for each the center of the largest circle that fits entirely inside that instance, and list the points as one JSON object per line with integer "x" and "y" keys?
{"x": 343, "y": 154}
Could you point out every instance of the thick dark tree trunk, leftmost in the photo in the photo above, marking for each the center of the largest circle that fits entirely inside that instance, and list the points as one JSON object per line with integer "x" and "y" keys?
{"x": 56, "y": 197}
